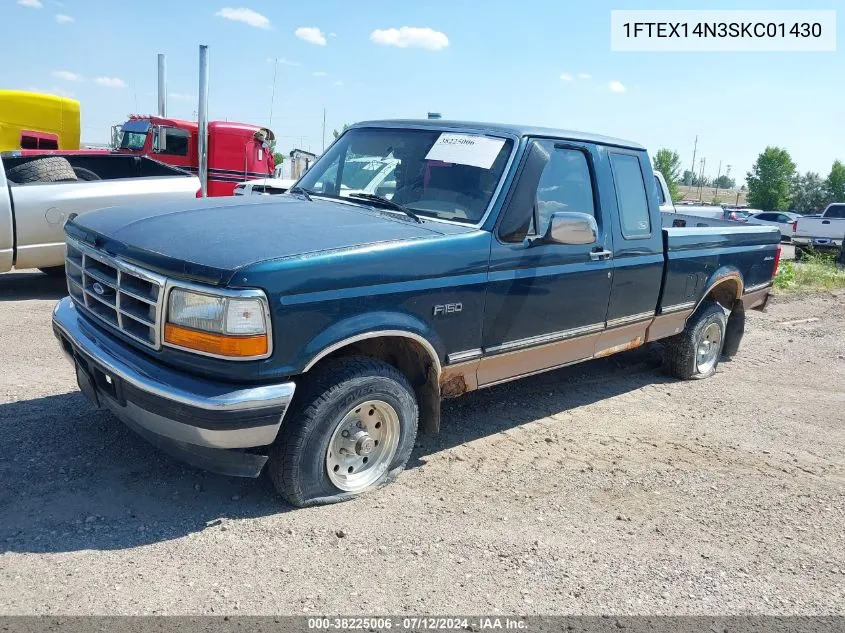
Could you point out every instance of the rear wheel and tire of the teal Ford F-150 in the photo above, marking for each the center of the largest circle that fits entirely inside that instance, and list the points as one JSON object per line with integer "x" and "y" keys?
{"x": 683, "y": 355}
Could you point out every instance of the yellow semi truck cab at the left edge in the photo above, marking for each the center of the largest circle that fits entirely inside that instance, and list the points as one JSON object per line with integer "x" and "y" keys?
{"x": 30, "y": 120}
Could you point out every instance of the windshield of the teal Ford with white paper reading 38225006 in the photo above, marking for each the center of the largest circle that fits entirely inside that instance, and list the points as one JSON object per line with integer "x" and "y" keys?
{"x": 451, "y": 176}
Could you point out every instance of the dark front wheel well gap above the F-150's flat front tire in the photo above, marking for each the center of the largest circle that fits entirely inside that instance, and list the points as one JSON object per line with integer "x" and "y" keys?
{"x": 412, "y": 359}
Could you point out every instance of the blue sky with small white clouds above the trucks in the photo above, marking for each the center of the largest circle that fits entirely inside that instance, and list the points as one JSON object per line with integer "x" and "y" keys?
{"x": 491, "y": 60}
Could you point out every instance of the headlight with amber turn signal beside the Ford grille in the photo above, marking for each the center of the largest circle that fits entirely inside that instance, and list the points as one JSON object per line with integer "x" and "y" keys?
{"x": 221, "y": 325}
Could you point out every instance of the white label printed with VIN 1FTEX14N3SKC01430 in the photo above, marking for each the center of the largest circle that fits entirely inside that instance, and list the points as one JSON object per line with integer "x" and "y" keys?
{"x": 723, "y": 30}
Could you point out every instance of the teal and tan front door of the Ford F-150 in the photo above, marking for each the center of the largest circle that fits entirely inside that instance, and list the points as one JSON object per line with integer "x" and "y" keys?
{"x": 547, "y": 303}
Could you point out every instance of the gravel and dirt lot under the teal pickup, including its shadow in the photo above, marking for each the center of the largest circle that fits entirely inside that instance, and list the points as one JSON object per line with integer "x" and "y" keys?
{"x": 604, "y": 487}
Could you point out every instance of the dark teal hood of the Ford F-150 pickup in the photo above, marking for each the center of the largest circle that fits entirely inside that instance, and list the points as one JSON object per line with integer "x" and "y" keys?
{"x": 209, "y": 240}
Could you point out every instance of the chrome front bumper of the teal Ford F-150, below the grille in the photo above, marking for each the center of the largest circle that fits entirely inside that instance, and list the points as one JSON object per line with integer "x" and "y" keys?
{"x": 196, "y": 419}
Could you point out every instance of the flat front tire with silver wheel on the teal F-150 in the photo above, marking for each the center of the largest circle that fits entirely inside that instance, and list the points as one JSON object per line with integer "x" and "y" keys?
{"x": 328, "y": 404}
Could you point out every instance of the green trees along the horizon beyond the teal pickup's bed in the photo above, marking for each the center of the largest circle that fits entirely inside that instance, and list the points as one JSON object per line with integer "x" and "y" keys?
{"x": 774, "y": 183}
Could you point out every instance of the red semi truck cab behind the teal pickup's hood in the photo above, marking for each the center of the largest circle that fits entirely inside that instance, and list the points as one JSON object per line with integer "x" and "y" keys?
{"x": 236, "y": 151}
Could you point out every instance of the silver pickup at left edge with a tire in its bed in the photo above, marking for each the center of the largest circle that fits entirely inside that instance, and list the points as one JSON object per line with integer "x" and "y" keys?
{"x": 39, "y": 193}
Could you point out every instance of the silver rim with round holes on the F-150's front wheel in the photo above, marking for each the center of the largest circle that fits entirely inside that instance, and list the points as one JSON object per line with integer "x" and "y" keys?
{"x": 362, "y": 446}
